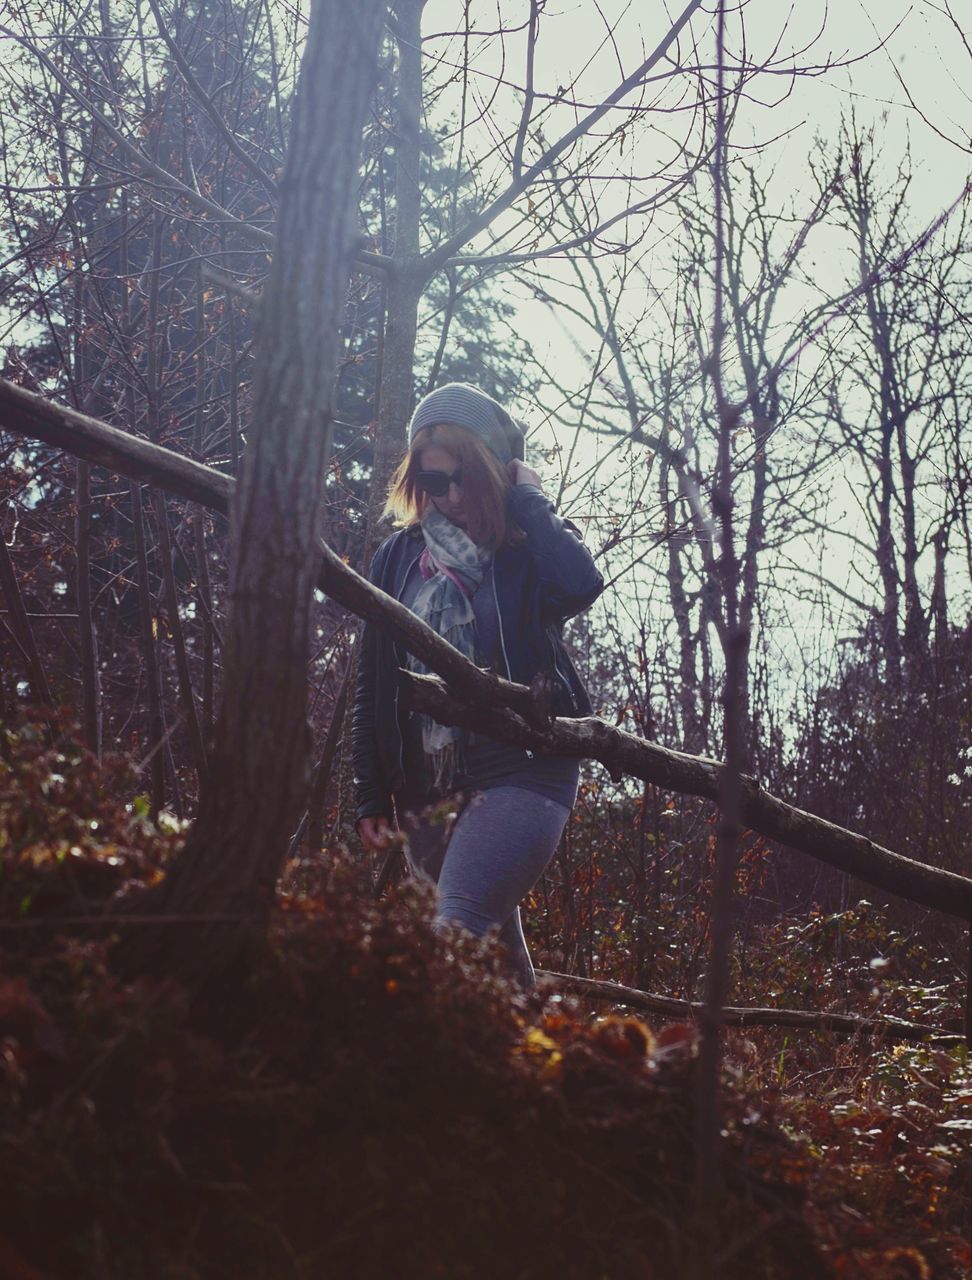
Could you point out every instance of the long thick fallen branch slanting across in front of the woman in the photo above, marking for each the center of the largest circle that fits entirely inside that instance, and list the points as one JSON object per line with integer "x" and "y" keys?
{"x": 480, "y": 700}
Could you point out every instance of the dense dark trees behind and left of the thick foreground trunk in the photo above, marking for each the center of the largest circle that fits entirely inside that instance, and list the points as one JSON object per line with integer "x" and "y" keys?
{"x": 144, "y": 150}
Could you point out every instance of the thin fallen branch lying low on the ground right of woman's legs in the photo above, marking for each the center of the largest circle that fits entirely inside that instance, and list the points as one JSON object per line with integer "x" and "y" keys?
{"x": 891, "y": 1028}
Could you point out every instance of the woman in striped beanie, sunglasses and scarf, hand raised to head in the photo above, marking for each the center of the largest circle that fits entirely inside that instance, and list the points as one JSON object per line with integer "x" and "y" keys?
{"x": 486, "y": 563}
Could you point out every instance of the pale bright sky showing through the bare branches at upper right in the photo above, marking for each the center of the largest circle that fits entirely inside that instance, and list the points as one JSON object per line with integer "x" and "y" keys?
{"x": 906, "y": 72}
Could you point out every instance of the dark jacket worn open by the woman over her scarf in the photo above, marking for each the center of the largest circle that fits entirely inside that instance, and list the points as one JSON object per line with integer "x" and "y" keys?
{"x": 539, "y": 586}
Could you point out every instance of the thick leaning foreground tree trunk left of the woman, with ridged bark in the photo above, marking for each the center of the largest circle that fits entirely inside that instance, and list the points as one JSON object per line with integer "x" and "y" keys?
{"x": 259, "y": 765}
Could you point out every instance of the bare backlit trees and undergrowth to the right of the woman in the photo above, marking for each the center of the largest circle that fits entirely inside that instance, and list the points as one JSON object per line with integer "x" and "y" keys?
{"x": 855, "y": 710}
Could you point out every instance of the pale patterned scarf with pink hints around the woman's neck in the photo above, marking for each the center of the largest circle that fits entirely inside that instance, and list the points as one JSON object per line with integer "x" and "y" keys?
{"x": 453, "y": 568}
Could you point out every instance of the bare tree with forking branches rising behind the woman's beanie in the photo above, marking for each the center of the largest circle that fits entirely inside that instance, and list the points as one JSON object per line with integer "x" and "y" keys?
{"x": 518, "y": 172}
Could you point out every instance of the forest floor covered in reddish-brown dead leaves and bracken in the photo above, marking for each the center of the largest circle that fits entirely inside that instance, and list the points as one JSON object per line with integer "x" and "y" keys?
{"x": 373, "y": 1100}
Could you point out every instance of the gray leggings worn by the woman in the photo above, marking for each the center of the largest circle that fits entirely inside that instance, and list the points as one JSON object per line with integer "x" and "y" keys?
{"x": 498, "y": 852}
